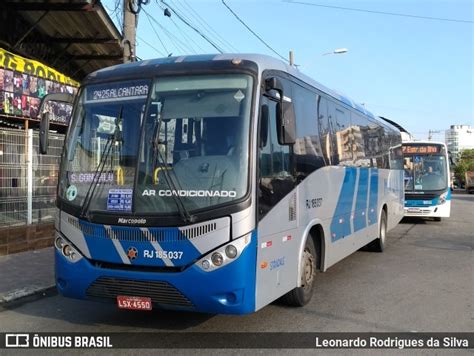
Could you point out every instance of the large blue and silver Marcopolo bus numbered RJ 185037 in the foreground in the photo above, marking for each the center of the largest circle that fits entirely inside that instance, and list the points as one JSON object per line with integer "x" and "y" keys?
{"x": 217, "y": 183}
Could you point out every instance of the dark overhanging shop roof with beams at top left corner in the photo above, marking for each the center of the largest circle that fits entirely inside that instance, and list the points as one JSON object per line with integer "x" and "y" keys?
{"x": 73, "y": 37}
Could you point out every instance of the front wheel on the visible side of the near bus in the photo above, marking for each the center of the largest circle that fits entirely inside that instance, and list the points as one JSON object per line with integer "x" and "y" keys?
{"x": 300, "y": 296}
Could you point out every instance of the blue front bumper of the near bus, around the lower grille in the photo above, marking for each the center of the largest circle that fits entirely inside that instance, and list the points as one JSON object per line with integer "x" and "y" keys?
{"x": 227, "y": 290}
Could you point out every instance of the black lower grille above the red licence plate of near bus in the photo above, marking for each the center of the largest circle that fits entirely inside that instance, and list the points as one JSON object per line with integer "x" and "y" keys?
{"x": 108, "y": 288}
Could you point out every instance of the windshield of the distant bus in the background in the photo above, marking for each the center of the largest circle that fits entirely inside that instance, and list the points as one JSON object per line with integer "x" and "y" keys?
{"x": 425, "y": 172}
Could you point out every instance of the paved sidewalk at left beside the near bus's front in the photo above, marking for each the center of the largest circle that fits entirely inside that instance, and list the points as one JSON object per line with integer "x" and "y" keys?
{"x": 26, "y": 273}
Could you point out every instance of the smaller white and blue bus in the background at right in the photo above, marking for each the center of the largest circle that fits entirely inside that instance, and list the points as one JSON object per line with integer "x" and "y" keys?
{"x": 427, "y": 179}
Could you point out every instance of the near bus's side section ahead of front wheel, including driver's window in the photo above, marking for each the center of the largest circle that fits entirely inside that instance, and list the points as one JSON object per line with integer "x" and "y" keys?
{"x": 277, "y": 253}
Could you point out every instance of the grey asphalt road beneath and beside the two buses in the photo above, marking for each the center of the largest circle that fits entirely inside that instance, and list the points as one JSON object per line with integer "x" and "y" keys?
{"x": 423, "y": 282}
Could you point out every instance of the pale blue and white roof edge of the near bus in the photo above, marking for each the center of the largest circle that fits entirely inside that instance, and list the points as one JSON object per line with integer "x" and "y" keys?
{"x": 263, "y": 62}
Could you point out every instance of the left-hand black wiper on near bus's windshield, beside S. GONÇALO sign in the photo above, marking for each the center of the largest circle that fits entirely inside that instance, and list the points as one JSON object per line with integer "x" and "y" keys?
{"x": 115, "y": 137}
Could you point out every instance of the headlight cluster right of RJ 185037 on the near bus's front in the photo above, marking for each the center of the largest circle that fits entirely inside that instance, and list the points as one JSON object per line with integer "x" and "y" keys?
{"x": 225, "y": 254}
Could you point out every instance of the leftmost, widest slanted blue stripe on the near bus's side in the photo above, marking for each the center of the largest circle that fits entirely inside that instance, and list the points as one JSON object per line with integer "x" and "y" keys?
{"x": 341, "y": 224}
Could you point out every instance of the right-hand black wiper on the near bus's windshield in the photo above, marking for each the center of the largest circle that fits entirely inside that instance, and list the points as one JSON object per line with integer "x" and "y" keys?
{"x": 183, "y": 212}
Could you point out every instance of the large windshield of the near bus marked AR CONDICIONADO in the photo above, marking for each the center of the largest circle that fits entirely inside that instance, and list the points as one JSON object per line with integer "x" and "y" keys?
{"x": 153, "y": 144}
